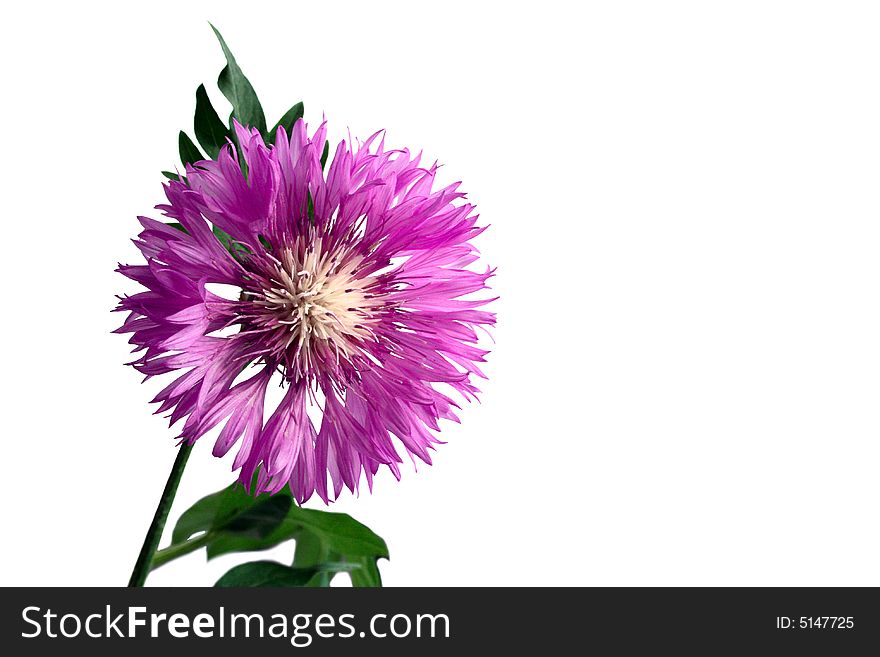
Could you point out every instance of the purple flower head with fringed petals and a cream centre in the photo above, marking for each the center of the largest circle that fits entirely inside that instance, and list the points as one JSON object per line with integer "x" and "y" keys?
{"x": 352, "y": 290}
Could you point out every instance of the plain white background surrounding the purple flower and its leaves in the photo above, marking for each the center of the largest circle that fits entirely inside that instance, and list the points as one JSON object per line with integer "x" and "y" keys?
{"x": 684, "y": 208}
